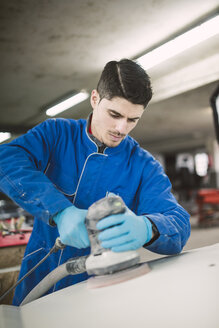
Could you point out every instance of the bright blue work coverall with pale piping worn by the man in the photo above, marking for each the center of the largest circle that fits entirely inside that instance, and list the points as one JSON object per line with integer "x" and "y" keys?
{"x": 57, "y": 164}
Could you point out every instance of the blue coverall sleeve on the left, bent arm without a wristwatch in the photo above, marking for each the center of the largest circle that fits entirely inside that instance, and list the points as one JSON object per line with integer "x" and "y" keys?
{"x": 22, "y": 166}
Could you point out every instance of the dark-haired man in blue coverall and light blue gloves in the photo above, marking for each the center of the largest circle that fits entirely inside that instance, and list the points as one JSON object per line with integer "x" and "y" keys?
{"x": 61, "y": 167}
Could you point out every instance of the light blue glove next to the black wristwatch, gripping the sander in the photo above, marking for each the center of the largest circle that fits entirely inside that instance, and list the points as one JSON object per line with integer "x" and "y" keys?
{"x": 129, "y": 231}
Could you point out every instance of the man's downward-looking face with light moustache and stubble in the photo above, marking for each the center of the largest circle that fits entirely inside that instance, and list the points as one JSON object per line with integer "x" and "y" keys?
{"x": 113, "y": 119}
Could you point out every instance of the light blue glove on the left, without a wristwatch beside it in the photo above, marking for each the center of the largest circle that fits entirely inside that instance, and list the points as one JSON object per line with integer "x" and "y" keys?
{"x": 71, "y": 227}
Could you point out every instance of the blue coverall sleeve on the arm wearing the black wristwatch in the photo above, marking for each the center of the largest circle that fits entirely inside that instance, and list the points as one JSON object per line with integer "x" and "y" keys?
{"x": 160, "y": 206}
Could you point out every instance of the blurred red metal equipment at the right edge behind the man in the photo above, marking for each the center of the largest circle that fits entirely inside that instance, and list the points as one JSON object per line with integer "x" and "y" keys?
{"x": 207, "y": 197}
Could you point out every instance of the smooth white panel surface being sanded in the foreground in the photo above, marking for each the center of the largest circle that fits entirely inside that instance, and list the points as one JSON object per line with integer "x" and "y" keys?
{"x": 179, "y": 291}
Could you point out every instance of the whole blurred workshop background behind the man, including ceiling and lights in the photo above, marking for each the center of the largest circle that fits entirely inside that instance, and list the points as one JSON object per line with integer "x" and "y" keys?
{"x": 54, "y": 50}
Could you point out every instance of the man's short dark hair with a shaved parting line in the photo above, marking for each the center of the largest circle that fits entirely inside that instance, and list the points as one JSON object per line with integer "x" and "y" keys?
{"x": 125, "y": 79}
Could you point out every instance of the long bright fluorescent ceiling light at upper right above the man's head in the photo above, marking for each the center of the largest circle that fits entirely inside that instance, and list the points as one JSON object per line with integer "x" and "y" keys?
{"x": 181, "y": 43}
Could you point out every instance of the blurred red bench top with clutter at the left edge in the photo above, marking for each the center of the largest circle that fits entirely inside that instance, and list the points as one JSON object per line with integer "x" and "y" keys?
{"x": 15, "y": 239}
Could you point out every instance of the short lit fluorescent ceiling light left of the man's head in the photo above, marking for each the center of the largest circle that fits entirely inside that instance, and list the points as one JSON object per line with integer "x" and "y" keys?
{"x": 68, "y": 103}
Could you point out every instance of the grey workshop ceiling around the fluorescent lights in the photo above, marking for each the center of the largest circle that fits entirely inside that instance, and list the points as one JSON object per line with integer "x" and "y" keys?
{"x": 51, "y": 47}
